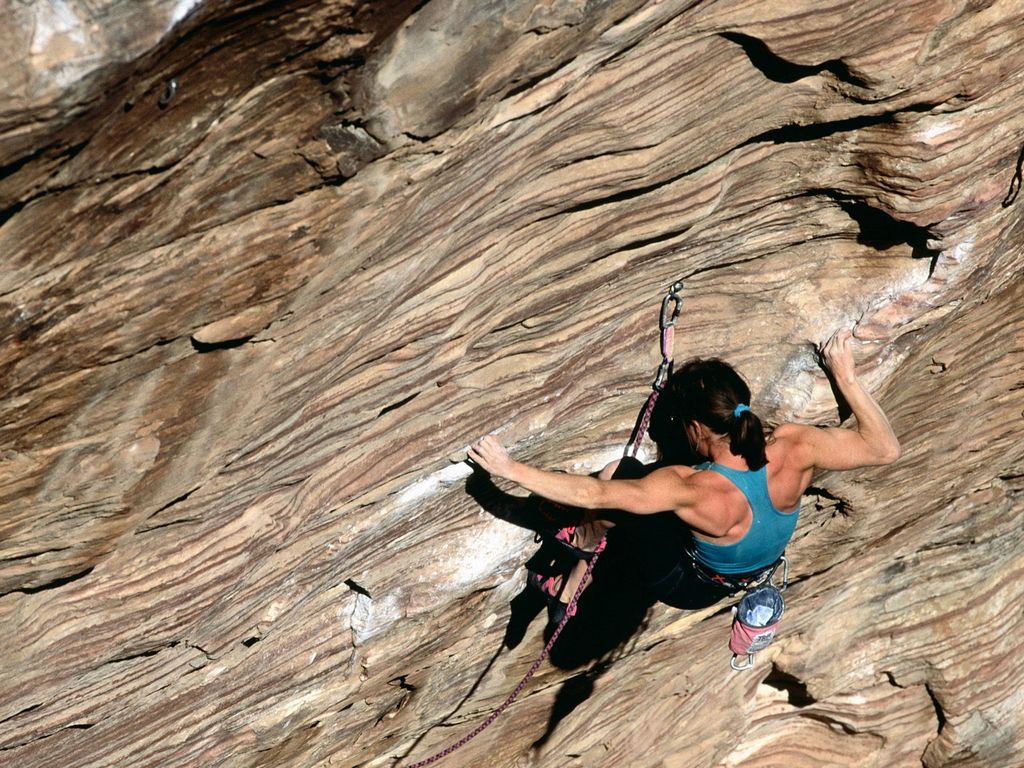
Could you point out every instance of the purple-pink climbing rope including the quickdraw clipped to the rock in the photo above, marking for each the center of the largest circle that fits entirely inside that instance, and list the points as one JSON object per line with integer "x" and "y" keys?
{"x": 671, "y": 308}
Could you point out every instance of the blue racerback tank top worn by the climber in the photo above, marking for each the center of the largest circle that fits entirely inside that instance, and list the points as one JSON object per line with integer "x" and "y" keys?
{"x": 771, "y": 530}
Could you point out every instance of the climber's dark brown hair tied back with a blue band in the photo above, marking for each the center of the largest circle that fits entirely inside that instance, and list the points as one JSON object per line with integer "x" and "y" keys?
{"x": 711, "y": 393}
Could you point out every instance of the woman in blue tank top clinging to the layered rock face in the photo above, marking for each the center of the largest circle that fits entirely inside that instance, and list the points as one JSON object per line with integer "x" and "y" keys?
{"x": 731, "y": 519}
